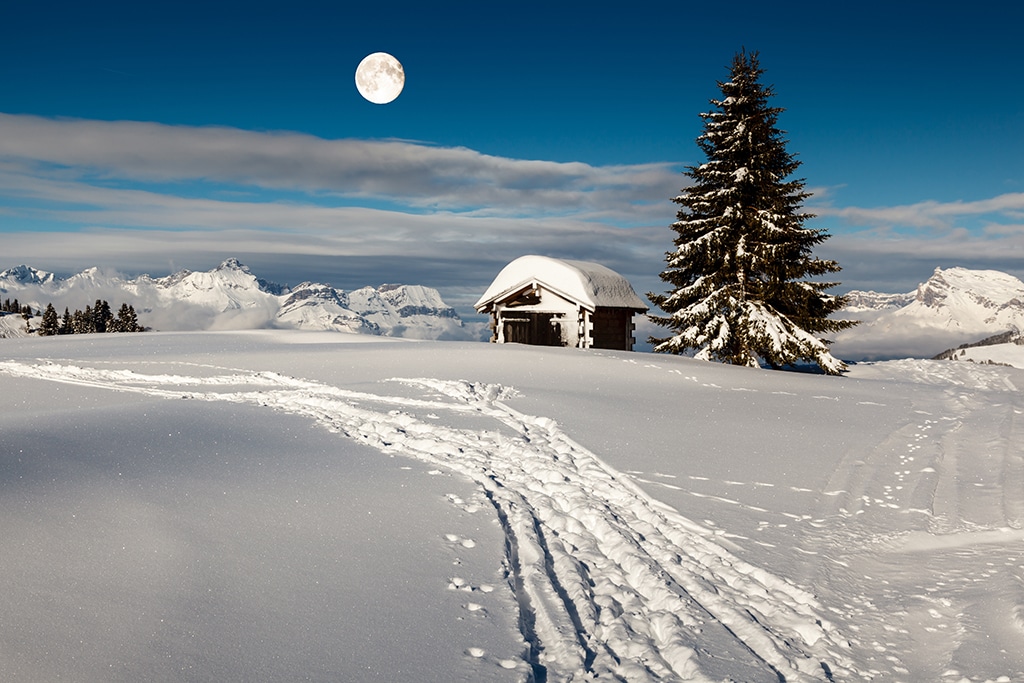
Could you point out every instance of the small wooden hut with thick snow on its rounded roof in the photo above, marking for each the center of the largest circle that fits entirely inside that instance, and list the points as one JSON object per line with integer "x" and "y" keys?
{"x": 554, "y": 303}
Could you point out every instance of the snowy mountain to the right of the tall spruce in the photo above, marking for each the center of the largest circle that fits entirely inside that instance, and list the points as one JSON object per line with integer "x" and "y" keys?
{"x": 955, "y": 307}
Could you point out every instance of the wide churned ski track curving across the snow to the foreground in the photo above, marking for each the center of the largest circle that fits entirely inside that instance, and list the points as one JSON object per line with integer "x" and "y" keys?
{"x": 611, "y": 583}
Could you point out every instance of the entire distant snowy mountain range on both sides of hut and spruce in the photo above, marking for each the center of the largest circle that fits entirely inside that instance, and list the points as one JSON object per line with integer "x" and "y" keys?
{"x": 954, "y": 308}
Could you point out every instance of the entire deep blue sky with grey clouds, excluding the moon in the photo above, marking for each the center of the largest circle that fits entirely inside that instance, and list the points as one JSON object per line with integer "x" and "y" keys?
{"x": 149, "y": 138}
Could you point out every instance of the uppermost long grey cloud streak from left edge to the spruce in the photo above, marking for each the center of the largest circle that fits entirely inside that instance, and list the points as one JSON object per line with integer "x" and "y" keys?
{"x": 415, "y": 176}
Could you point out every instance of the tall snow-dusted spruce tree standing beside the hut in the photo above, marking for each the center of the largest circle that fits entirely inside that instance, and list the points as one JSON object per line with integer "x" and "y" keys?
{"x": 743, "y": 253}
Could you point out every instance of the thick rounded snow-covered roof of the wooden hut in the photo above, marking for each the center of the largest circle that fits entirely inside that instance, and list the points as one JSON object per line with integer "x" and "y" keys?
{"x": 590, "y": 285}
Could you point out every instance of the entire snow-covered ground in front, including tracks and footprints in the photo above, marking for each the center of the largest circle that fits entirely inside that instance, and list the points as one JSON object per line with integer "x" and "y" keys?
{"x": 269, "y": 506}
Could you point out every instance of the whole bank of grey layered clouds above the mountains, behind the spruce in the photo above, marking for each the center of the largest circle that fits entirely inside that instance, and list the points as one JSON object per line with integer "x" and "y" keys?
{"x": 152, "y": 198}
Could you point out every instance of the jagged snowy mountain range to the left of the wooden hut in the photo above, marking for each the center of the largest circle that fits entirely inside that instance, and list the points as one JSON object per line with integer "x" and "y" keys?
{"x": 232, "y": 297}
